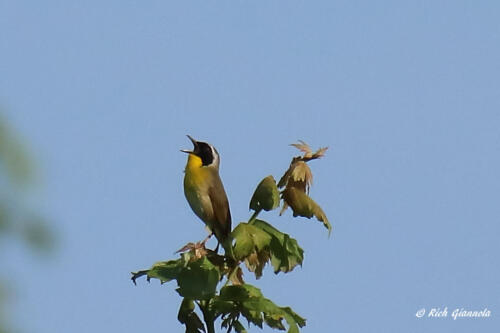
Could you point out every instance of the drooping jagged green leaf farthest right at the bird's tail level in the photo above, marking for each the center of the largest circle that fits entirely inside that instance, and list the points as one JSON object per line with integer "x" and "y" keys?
{"x": 285, "y": 252}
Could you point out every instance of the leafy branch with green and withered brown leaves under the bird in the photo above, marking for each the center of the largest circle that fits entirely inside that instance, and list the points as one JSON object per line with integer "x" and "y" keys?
{"x": 199, "y": 271}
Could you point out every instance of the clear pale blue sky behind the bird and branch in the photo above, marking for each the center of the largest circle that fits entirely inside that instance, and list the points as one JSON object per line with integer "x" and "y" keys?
{"x": 405, "y": 93}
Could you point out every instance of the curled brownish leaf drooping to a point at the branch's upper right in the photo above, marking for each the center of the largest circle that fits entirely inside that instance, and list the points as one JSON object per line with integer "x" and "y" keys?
{"x": 303, "y": 205}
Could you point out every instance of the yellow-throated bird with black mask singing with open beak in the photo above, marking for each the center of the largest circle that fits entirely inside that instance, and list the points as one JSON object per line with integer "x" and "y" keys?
{"x": 205, "y": 193}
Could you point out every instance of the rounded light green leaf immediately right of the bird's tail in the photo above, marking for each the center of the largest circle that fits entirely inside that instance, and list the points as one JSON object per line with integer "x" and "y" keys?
{"x": 248, "y": 239}
